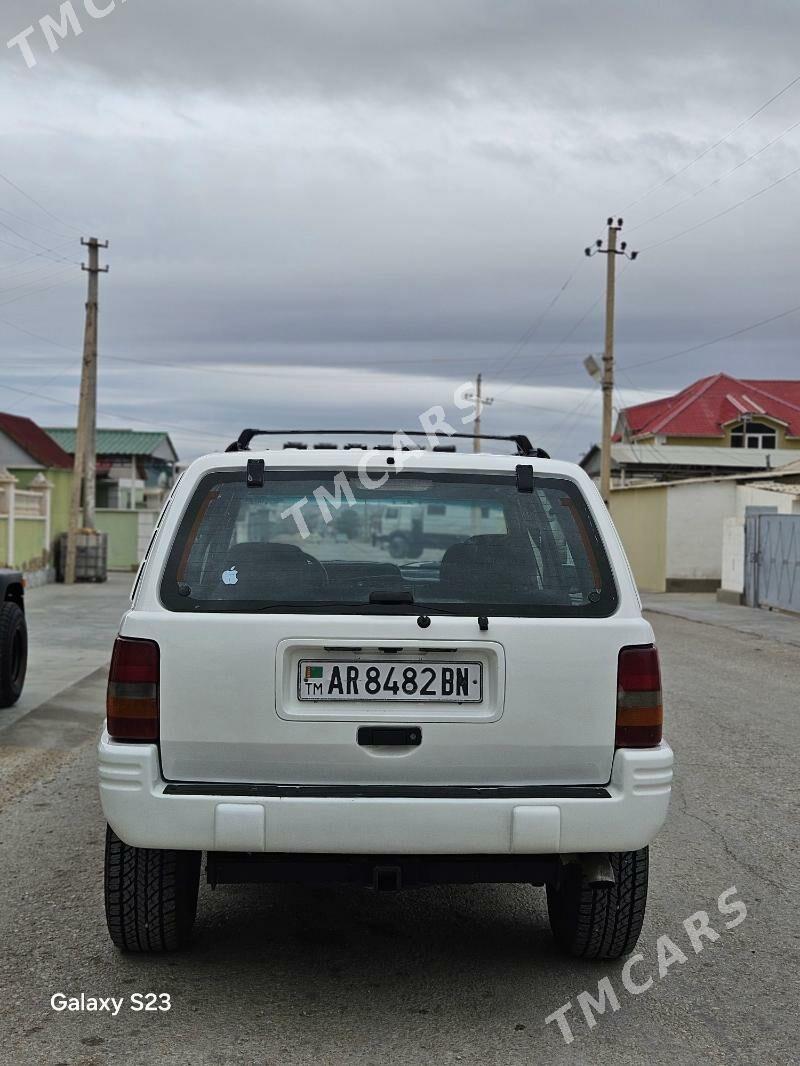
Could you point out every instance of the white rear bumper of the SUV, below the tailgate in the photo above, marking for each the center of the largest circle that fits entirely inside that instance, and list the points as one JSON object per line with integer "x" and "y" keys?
{"x": 146, "y": 812}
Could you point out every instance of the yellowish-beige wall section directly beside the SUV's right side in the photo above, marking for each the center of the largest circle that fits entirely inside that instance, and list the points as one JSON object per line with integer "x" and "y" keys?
{"x": 641, "y": 516}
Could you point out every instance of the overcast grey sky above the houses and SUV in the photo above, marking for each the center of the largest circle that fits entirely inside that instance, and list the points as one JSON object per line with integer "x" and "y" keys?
{"x": 335, "y": 213}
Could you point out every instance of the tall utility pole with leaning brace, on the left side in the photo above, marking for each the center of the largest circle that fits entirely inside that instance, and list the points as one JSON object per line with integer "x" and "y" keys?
{"x": 86, "y": 456}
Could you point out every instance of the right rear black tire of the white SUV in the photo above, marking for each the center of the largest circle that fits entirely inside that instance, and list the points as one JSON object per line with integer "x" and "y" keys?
{"x": 596, "y": 922}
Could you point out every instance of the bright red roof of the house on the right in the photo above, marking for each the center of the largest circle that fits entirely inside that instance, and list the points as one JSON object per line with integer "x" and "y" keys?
{"x": 702, "y": 410}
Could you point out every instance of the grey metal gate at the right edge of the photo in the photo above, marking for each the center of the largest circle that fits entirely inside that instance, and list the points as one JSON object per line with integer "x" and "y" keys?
{"x": 773, "y": 561}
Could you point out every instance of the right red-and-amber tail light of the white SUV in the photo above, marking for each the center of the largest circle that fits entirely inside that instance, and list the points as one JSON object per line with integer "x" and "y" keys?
{"x": 639, "y": 707}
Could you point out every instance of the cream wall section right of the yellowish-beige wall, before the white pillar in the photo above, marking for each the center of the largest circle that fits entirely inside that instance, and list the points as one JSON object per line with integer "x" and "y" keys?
{"x": 696, "y": 514}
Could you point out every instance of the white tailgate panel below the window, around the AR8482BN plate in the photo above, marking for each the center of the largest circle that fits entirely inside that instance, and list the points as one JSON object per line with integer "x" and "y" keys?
{"x": 231, "y": 713}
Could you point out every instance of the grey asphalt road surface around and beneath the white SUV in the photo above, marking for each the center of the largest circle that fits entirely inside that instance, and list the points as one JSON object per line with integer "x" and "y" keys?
{"x": 291, "y": 976}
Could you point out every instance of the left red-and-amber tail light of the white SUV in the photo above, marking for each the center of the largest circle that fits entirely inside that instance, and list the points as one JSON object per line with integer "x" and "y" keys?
{"x": 132, "y": 704}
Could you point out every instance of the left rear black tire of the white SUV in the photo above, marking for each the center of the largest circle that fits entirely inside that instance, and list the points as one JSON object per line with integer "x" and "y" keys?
{"x": 151, "y": 896}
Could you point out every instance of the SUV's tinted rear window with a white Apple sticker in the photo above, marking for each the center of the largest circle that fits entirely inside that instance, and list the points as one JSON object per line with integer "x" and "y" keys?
{"x": 323, "y": 542}
